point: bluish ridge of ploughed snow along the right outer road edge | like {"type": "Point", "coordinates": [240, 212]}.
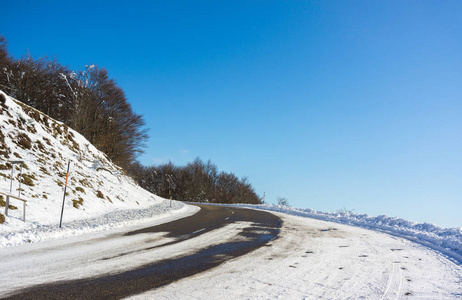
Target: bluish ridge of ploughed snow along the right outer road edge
{"type": "Point", "coordinates": [445, 240]}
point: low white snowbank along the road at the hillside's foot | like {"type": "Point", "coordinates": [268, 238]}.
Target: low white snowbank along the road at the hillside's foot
{"type": "Point", "coordinates": [159, 213]}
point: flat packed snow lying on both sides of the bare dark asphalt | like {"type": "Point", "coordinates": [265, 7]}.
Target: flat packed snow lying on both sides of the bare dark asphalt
{"type": "Point", "coordinates": [311, 259]}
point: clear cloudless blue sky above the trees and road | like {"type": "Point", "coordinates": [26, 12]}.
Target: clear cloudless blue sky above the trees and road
{"type": "Point", "coordinates": [331, 104]}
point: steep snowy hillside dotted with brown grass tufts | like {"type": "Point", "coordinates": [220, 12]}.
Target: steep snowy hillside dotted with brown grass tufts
{"type": "Point", "coordinates": [96, 188]}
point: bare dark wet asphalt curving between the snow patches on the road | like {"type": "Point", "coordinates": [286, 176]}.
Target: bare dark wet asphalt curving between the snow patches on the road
{"type": "Point", "coordinates": [265, 227]}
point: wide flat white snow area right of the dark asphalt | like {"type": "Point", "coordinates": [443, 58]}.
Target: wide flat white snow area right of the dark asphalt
{"type": "Point", "coordinates": [314, 259]}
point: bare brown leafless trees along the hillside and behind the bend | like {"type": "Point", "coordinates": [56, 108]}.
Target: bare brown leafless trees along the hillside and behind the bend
{"type": "Point", "coordinates": [92, 103]}
